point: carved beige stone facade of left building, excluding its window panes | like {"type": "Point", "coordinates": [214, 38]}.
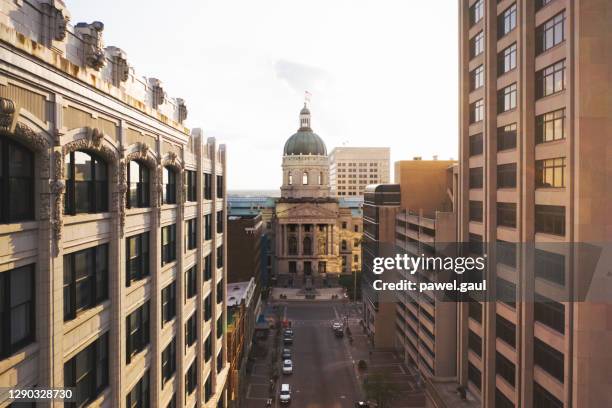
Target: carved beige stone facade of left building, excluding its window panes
{"type": "Point", "coordinates": [62, 92]}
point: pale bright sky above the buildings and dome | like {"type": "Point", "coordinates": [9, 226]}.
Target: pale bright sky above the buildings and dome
{"type": "Point", "coordinates": [381, 72]}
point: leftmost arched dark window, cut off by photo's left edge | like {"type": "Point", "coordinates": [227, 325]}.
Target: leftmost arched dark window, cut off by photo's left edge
{"type": "Point", "coordinates": [16, 182]}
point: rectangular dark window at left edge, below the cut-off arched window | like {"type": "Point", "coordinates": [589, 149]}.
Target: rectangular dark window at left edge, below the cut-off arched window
{"type": "Point", "coordinates": [17, 308]}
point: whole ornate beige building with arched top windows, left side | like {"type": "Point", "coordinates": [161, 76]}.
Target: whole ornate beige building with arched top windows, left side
{"type": "Point", "coordinates": [112, 232]}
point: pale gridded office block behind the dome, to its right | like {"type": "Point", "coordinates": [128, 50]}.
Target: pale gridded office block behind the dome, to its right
{"type": "Point", "coordinates": [351, 169]}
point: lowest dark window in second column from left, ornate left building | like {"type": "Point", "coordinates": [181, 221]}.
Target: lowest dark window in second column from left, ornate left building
{"type": "Point", "coordinates": [87, 372]}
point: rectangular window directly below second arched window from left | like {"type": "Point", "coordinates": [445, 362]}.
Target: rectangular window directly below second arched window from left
{"type": "Point", "coordinates": [85, 280]}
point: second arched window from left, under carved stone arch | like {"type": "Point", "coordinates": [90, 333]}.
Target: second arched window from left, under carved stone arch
{"type": "Point", "coordinates": [86, 184]}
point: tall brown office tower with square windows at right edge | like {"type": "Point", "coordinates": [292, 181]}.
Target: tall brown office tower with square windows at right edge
{"type": "Point", "coordinates": [535, 125]}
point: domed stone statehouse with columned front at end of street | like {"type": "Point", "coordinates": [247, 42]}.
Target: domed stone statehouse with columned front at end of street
{"type": "Point", "coordinates": [316, 236]}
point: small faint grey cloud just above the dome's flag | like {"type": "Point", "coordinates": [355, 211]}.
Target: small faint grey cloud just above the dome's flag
{"type": "Point", "coordinates": [301, 77]}
